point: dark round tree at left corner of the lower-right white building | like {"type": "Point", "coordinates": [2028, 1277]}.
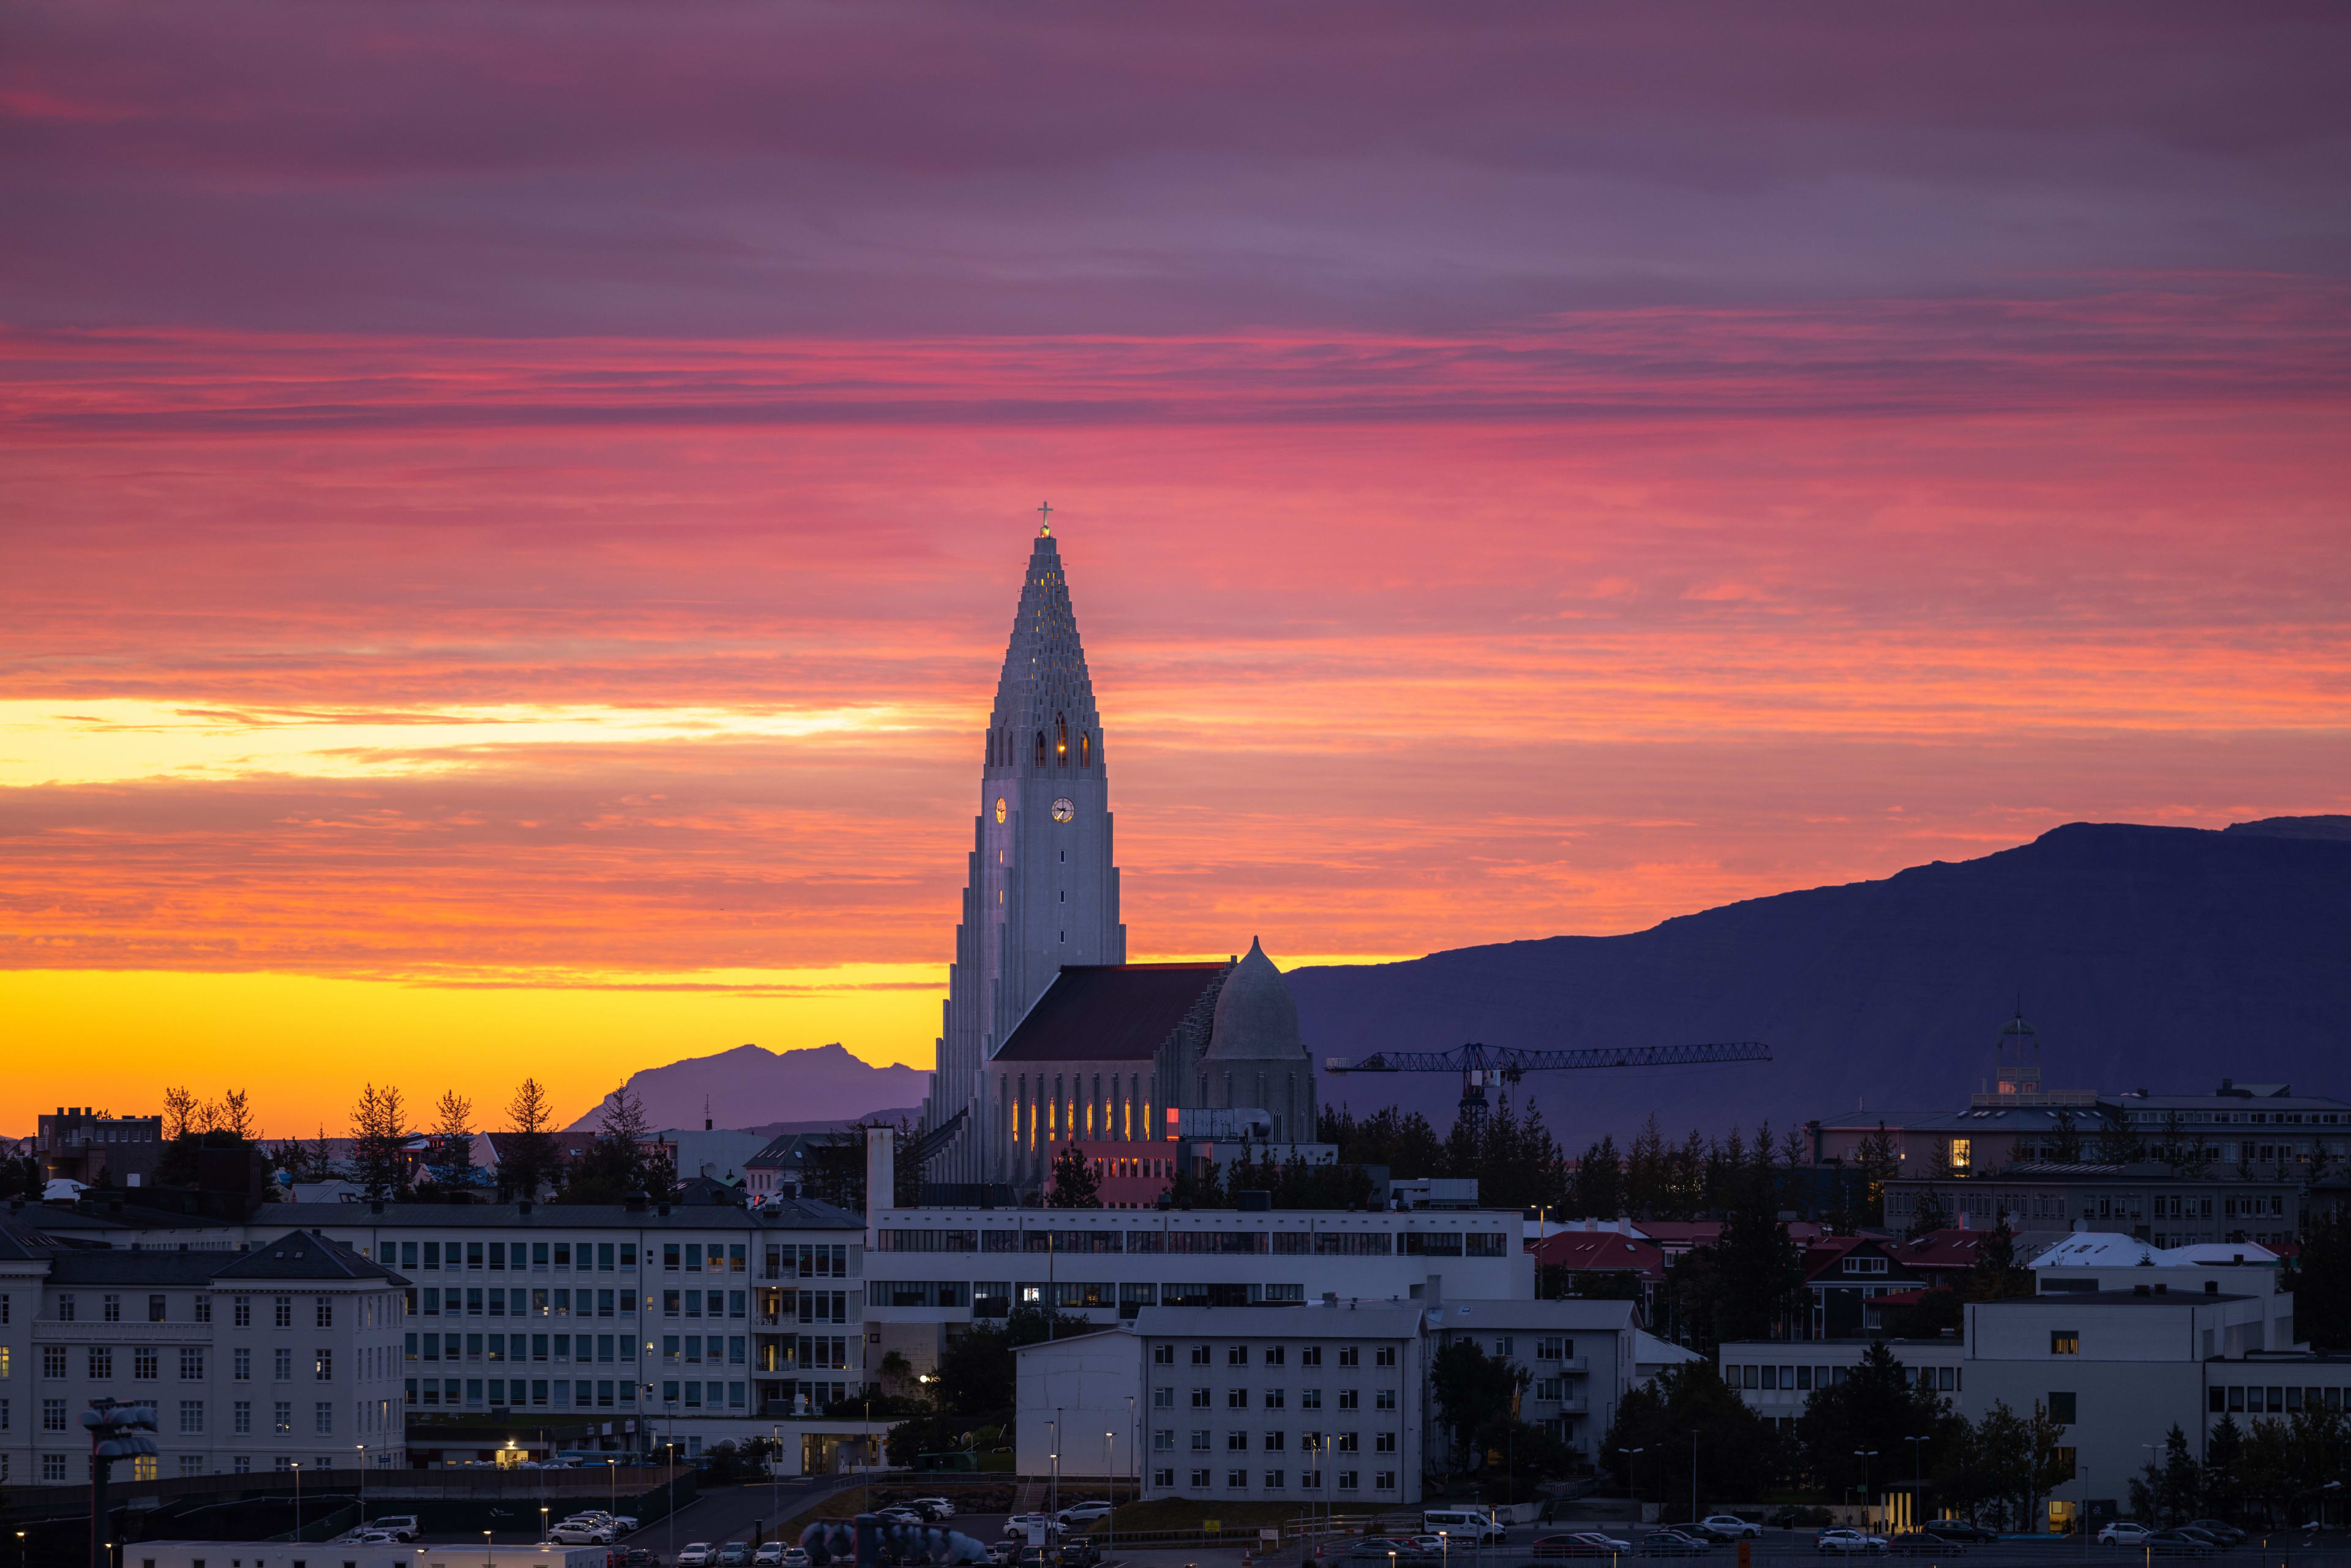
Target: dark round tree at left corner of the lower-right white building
{"type": "Point", "coordinates": [1687, 1414]}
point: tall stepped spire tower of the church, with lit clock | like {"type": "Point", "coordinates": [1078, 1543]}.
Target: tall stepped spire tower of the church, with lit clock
{"type": "Point", "coordinates": [1043, 887]}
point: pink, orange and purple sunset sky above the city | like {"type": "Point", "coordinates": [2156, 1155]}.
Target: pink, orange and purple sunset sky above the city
{"type": "Point", "coordinates": [511, 514]}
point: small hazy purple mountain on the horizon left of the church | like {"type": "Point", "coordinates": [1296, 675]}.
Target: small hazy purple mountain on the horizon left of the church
{"type": "Point", "coordinates": [753, 1087]}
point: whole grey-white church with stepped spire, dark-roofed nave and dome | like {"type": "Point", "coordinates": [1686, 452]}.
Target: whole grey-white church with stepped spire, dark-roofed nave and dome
{"type": "Point", "coordinates": [1050, 1036]}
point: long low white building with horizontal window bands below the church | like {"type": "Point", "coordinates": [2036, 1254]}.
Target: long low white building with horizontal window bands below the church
{"type": "Point", "coordinates": [932, 1273]}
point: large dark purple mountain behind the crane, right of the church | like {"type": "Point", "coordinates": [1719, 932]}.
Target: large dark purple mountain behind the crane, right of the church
{"type": "Point", "coordinates": [2162, 958]}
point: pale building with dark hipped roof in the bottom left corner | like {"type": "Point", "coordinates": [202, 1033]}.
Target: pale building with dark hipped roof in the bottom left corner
{"type": "Point", "coordinates": [288, 1353]}
